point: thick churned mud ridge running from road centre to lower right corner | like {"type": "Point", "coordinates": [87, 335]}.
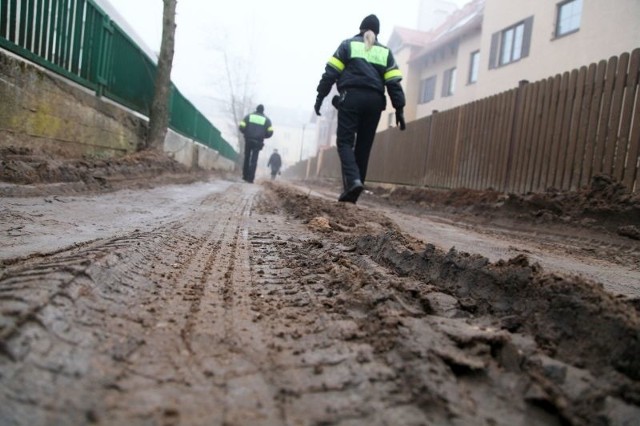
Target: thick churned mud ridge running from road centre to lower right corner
{"type": "Point", "coordinates": [584, 359]}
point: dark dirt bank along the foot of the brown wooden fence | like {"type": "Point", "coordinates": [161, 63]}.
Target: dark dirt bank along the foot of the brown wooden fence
{"type": "Point", "coordinates": [605, 204]}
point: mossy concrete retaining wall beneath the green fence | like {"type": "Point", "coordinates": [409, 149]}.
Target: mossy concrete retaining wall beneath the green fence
{"type": "Point", "coordinates": [44, 112]}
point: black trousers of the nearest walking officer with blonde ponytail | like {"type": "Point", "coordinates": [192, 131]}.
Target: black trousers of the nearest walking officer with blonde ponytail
{"type": "Point", "coordinates": [358, 118]}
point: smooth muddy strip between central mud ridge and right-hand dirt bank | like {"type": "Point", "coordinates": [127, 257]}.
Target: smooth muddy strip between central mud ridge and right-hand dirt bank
{"type": "Point", "coordinates": [609, 259]}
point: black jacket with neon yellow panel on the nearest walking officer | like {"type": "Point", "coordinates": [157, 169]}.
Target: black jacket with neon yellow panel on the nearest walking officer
{"type": "Point", "coordinates": [352, 67]}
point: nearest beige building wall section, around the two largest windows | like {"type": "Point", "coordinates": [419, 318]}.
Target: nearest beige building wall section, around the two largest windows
{"type": "Point", "coordinates": [607, 28]}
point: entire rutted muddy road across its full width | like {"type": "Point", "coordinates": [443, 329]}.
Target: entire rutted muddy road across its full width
{"type": "Point", "coordinates": [224, 303]}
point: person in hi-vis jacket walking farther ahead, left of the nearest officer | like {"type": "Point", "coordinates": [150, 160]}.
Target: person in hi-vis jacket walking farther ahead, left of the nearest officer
{"type": "Point", "coordinates": [256, 127]}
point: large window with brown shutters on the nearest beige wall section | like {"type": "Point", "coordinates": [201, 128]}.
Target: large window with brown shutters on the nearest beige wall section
{"type": "Point", "coordinates": [511, 44]}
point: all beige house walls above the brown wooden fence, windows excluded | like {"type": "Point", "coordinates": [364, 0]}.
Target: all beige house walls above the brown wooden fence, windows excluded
{"type": "Point", "coordinates": [607, 28]}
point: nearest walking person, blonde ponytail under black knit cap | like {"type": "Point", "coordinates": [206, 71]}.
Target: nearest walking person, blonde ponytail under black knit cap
{"type": "Point", "coordinates": [361, 67]}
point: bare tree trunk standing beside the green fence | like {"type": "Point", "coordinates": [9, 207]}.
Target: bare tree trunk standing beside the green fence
{"type": "Point", "coordinates": [159, 114]}
